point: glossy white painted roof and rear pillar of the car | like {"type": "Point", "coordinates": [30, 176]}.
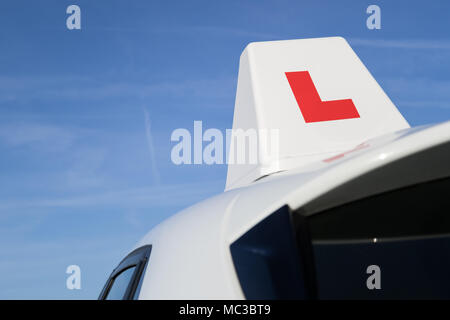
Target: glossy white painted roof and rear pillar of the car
{"type": "Point", "coordinates": [190, 257]}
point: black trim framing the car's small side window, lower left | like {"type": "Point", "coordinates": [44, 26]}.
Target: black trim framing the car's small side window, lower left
{"type": "Point", "coordinates": [137, 258]}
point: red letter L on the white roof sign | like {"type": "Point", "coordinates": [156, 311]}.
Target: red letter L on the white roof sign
{"type": "Point", "coordinates": [312, 107]}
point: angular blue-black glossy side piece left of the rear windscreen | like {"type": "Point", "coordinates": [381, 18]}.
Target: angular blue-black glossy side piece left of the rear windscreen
{"type": "Point", "coordinates": [267, 261]}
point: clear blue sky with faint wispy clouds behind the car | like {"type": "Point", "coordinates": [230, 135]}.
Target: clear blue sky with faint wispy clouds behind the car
{"type": "Point", "coordinates": [86, 115]}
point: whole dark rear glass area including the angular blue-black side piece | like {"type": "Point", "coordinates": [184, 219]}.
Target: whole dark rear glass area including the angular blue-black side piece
{"type": "Point", "coordinates": [390, 245]}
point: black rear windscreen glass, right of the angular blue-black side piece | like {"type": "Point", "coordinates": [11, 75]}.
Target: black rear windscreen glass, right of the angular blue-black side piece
{"type": "Point", "coordinates": [406, 233]}
